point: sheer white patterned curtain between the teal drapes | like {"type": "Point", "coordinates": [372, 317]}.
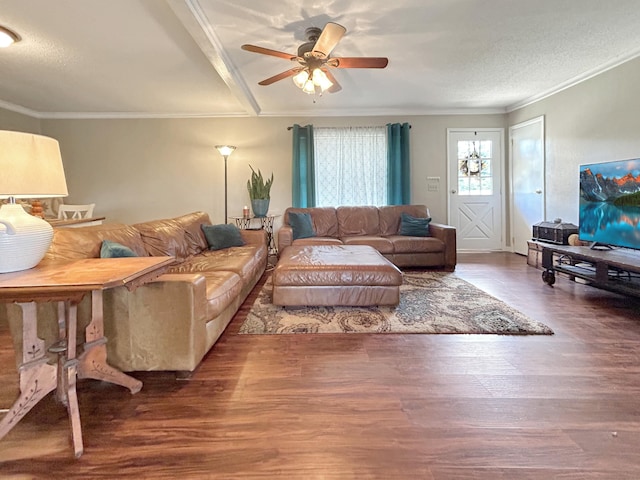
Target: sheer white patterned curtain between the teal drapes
{"type": "Point", "coordinates": [351, 166]}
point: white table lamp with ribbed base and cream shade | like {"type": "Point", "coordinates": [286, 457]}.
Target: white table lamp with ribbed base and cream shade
{"type": "Point", "coordinates": [30, 167]}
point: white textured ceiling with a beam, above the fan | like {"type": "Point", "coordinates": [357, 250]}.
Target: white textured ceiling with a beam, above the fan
{"type": "Point", "coordinates": [145, 58]}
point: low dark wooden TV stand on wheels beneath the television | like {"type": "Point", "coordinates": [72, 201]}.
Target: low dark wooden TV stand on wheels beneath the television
{"type": "Point", "coordinates": [616, 270]}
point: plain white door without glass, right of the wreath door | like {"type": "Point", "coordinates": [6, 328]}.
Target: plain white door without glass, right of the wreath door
{"type": "Point", "coordinates": [526, 164]}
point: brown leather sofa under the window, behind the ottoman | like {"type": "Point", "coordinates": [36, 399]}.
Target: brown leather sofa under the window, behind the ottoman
{"type": "Point", "coordinates": [379, 228]}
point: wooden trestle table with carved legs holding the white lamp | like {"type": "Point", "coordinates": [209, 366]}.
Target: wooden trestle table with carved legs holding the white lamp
{"type": "Point", "coordinates": [67, 284]}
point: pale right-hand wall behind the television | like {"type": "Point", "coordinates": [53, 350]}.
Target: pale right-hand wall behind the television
{"type": "Point", "coordinates": [595, 121]}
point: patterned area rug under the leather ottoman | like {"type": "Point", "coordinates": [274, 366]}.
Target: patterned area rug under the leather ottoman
{"type": "Point", "coordinates": [430, 302]}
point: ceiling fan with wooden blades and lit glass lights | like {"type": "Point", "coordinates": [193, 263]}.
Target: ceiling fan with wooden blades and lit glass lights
{"type": "Point", "coordinates": [313, 72]}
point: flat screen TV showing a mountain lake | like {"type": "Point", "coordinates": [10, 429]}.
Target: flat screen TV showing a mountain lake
{"type": "Point", "coordinates": [610, 203]}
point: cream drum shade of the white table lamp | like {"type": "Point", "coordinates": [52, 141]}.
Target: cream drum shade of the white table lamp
{"type": "Point", "coordinates": [30, 166]}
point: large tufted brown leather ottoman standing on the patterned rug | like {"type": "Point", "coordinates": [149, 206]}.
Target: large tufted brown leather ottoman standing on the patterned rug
{"type": "Point", "coordinates": [333, 275]}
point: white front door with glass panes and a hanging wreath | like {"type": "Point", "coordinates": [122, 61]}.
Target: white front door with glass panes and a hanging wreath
{"type": "Point", "coordinates": [475, 187]}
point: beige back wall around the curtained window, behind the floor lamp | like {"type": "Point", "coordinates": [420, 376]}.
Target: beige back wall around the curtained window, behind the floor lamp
{"type": "Point", "coordinates": [142, 169]}
